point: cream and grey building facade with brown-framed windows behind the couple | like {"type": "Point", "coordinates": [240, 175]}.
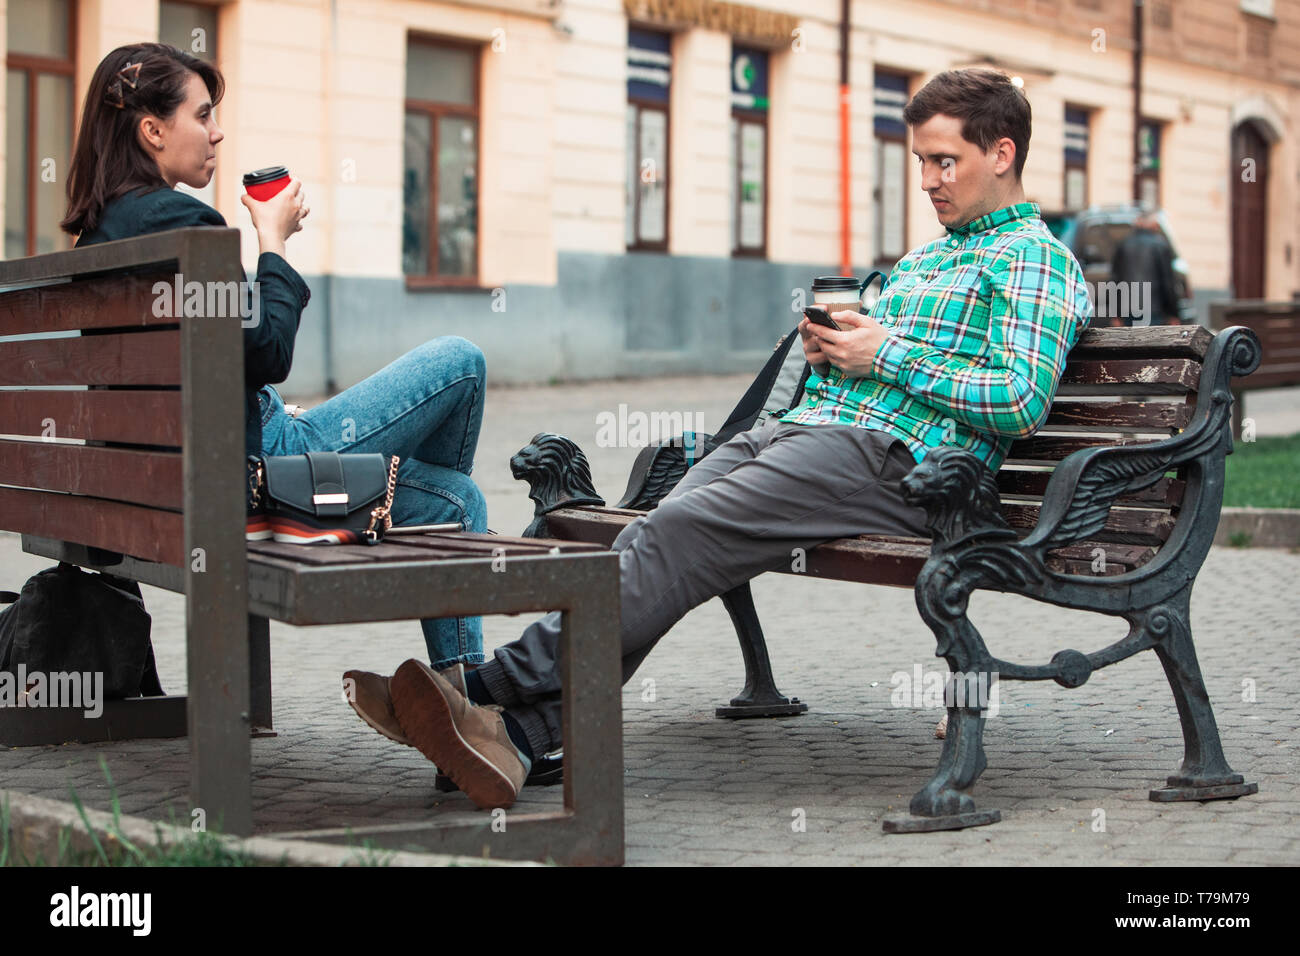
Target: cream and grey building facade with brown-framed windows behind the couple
{"type": "Point", "coordinates": [618, 188]}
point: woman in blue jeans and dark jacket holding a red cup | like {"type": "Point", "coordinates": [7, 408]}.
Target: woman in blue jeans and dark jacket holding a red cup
{"type": "Point", "coordinates": [149, 126]}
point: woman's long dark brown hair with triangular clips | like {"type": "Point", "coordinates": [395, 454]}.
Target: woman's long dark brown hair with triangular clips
{"type": "Point", "coordinates": [109, 161]}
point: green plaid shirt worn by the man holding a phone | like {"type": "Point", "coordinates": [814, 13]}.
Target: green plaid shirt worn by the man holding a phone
{"type": "Point", "coordinates": [980, 326]}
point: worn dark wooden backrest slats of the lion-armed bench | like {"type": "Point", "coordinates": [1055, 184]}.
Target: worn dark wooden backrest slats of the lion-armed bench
{"type": "Point", "coordinates": [1120, 387]}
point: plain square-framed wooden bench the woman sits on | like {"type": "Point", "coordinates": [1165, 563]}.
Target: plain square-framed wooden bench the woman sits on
{"type": "Point", "coordinates": [125, 453]}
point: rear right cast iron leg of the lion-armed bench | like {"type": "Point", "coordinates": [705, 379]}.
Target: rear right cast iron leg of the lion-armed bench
{"type": "Point", "coordinates": [1204, 775]}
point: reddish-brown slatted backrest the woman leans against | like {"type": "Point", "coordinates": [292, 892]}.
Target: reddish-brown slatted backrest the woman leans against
{"type": "Point", "coordinates": [112, 438]}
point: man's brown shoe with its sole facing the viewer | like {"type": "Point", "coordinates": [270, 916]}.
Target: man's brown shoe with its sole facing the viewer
{"type": "Point", "coordinates": [470, 745]}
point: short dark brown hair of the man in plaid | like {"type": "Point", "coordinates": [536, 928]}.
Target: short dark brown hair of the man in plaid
{"type": "Point", "coordinates": [987, 103]}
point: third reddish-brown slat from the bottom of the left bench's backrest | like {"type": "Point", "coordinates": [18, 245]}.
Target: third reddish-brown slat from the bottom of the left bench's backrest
{"type": "Point", "coordinates": [137, 418]}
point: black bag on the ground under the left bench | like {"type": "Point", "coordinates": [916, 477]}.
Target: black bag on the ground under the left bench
{"type": "Point", "coordinates": [73, 622]}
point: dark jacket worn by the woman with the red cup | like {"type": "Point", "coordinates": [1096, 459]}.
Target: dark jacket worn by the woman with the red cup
{"type": "Point", "coordinates": [270, 344]}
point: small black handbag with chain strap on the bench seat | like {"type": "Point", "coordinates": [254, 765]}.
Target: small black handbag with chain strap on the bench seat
{"type": "Point", "coordinates": [324, 498]}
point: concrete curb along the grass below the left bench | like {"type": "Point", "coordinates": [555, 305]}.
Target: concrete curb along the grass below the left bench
{"type": "Point", "coordinates": [36, 825]}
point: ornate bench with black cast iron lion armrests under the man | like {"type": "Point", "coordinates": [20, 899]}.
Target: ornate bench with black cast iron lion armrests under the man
{"type": "Point", "coordinates": [1111, 508]}
